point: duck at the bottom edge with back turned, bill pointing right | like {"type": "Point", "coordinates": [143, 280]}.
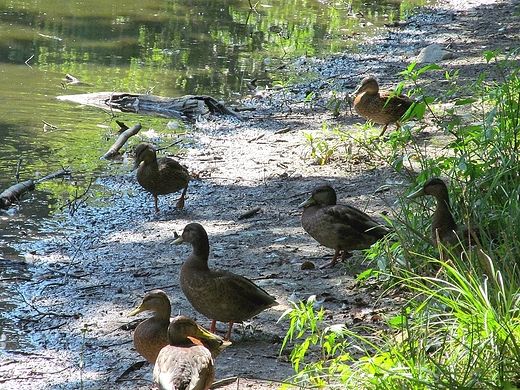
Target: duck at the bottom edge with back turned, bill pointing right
{"type": "Point", "coordinates": [184, 364]}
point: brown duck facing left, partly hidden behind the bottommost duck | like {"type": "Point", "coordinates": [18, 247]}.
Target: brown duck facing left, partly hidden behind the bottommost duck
{"type": "Point", "coordinates": [151, 335]}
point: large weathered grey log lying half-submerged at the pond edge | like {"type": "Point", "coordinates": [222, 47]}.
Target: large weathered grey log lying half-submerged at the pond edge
{"type": "Point", "coordinates": [186, 107]}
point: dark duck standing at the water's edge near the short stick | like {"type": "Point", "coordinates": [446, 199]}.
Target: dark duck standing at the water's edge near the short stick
{"type": "Point", "coordinates": [160, 176]}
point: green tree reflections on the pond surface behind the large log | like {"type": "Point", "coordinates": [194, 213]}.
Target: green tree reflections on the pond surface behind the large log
{"type": "Point", "coordinates": [190, 46]}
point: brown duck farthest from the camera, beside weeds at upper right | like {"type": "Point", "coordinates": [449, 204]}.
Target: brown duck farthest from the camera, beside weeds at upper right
{"type": "Point", "coordinates": [377, 106]}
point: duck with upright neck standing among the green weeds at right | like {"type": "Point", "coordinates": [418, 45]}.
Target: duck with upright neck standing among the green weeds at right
{"type": "Point", "coordinates": [444, 229]}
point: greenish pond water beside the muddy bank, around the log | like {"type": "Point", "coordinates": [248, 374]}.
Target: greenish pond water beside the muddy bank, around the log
{"type": "Point", "coordinates": [168, 48]}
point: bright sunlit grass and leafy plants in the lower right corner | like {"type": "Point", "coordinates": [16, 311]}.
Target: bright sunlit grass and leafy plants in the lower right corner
{"type": "Point", "coordinates": [459, 331]}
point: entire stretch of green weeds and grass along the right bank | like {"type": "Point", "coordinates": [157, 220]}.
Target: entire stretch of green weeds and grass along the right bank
{"type": "Point", "coordinates": [461, 327]}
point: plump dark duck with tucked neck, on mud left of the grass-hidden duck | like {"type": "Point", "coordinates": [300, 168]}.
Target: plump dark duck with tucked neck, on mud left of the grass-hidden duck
{"type": "Point", "coordinates": [340, 227]}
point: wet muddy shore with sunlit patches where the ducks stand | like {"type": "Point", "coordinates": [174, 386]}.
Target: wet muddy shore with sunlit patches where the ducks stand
{"type": "Point", "coordinates": [90, 276]}
